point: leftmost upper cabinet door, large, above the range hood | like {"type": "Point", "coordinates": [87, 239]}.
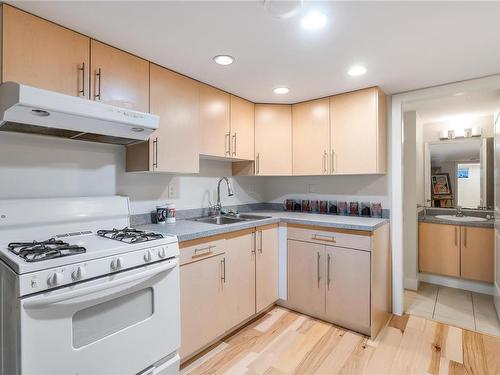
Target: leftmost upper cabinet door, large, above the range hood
{"type": "Point", "coordinates": [42, 54]}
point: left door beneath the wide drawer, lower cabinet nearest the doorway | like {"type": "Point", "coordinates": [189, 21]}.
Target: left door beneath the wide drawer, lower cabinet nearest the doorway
{"type": "Point", "coordinates": [306, 277]}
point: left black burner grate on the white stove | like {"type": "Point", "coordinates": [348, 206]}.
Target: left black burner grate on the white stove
{"type": "Point", "coordinates": [37, 251]}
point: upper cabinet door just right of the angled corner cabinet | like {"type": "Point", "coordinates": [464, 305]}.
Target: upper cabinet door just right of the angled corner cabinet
{"type": "Point", "coordinates": [311, 137]}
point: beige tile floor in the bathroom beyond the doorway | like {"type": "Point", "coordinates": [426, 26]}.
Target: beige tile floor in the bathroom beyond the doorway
{"type": "Point", "coordinates": [461, 308]}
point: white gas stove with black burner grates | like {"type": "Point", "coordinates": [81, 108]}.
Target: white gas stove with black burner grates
{"type": "Point", "coordinates": [82, 293]}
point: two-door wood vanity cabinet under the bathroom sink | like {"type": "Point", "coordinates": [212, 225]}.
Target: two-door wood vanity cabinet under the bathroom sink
{"type": "Point", "coordinates": [458, 251]}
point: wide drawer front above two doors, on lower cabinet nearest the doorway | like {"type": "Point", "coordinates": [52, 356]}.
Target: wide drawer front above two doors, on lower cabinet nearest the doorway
{"type": "Point", "coordinates": [328, 237]}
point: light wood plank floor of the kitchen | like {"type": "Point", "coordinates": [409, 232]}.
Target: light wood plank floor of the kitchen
{"type": "Point", "coordinates": [286, 342]}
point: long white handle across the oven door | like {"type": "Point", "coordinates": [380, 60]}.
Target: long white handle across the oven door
{"type": "Point", "coordinates": [145, 275]}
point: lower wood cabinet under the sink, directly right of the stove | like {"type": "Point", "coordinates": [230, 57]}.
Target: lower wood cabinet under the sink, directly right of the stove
{"type": "Point", "coordinates": [220, 277]}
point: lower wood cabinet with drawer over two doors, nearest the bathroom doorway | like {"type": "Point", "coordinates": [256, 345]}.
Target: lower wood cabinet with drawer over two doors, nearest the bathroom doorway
{"type": "Point", "coordinates": [343, 278]}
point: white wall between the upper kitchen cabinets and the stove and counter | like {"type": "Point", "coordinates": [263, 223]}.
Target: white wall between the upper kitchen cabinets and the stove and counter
{"type": "Point", "coordinates": [33, 167]}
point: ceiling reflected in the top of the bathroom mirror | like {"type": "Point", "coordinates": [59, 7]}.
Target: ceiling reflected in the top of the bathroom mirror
{"type": "Point", "coordinates": [456, 151]}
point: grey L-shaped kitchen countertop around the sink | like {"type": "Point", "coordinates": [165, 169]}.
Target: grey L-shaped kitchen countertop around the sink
{"type": "Point", "coordinates": [189, 230]}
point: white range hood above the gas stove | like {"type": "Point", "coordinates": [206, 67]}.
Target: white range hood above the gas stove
{"type": "Point", "coordinates": [27, 109]}
